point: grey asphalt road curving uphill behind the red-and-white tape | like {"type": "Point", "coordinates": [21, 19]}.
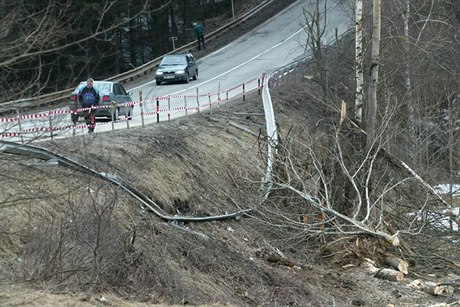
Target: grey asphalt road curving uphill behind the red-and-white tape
{"type": "Point", "coordinates": [277, 42]}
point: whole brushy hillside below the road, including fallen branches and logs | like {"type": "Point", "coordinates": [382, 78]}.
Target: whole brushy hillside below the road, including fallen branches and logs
{"type": "Point", "coordinates": [67, 238]}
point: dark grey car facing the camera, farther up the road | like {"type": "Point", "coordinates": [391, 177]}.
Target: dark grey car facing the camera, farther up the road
{"type": "Point", "coordinates": [176, 67]}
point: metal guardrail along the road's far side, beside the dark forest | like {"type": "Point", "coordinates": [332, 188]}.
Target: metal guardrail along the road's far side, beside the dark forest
{"type": "Point", "coordinates": [141, 71]}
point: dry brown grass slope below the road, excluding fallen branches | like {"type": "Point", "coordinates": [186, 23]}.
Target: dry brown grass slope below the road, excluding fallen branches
{"type": "Point", "coordinates": [69, 239]}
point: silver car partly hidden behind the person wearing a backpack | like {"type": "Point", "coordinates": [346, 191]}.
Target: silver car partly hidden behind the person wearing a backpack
{"type": "Point", "coordinates": [112, 95]}
